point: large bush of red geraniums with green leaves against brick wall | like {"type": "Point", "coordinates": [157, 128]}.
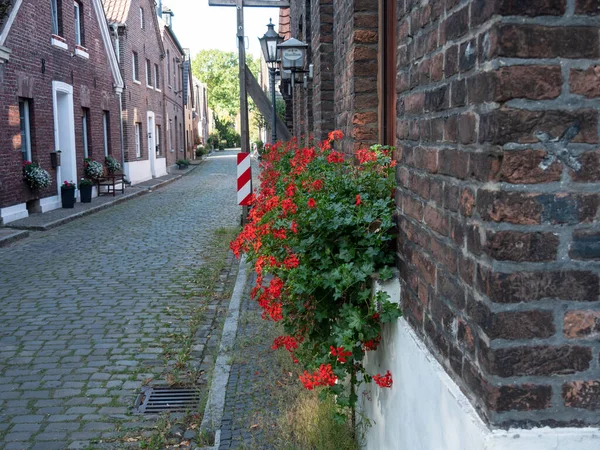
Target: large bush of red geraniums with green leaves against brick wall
{"type": "Point", "coordinates": [320, 229]}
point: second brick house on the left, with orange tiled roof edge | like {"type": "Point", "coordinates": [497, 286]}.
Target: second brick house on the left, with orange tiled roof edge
{"type": "Point", "coordinates": [138, 43]}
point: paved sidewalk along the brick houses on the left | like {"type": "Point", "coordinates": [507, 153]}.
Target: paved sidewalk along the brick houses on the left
{"type": "Point", "coordinates": [19, 229]}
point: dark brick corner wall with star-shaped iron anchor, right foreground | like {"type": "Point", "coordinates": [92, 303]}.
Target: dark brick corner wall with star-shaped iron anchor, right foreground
{"type": "Point", "coordinates": [487, 238]}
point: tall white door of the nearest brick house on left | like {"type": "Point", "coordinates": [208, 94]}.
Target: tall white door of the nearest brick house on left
{"type": "Point", "coordinates": [64, 132]}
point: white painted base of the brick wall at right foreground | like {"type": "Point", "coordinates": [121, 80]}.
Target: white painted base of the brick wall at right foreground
{"type": "Point", "coordinates": [425, 409]}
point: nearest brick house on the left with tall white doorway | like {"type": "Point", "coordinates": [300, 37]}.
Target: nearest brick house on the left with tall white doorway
{"type": "Point", "coordinates": [59, 87]}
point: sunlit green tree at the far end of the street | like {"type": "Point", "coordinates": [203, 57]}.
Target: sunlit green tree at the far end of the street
{"type": "Point", "coordinates": [219, 71]}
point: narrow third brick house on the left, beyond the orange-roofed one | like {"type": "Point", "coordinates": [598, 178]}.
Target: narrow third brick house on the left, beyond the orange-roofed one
{"type": "Point", "coordinates": [173, 90]}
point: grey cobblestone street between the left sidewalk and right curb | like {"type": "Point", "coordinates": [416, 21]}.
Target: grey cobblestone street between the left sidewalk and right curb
{"type": "Point", "coordinates": [85, 309]}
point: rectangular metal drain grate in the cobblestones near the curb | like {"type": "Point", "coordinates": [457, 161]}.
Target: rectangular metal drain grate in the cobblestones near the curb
{"type": "Point", "coordinates": [154, 400]}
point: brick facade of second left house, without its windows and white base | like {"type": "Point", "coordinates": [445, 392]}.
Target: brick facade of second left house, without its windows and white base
{"type": "Point", "coordinates": [138, 99]}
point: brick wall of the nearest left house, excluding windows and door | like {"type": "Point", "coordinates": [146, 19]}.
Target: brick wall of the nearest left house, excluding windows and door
{"type": "Point", "coordinates": [21, 76]}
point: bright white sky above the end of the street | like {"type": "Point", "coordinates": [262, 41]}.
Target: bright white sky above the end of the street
{"type": "Point", "coordinates": [199, 26]}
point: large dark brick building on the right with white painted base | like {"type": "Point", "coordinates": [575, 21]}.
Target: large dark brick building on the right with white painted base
{"type": "Point", "coordinates": [493, 107]}
